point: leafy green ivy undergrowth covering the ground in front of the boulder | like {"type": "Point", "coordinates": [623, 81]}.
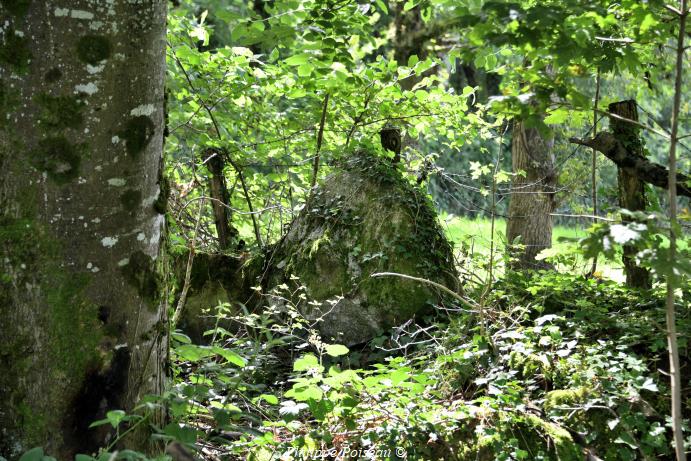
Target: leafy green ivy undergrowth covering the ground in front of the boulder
{"type": "Point", "coordinates": [562, 367]}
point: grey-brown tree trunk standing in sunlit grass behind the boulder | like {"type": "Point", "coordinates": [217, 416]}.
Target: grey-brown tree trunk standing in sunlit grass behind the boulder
{"type": "Point", "coordinates": [532, 196]}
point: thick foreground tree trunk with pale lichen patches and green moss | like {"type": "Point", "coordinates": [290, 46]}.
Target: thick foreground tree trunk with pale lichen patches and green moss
{"type": "Point", "coordinates": [81, 118]}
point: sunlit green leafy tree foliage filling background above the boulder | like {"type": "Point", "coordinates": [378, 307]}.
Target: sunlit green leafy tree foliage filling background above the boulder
{"type": "Point", "coordinates": [263, 70]}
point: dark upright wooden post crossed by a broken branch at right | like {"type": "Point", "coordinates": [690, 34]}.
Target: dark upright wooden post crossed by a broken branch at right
{"type": "Point", "coordinates": [631, 188]}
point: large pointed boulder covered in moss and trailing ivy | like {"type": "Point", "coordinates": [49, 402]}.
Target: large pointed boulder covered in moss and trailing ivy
{"type": "Point", "coordinates": [365, 218]}
